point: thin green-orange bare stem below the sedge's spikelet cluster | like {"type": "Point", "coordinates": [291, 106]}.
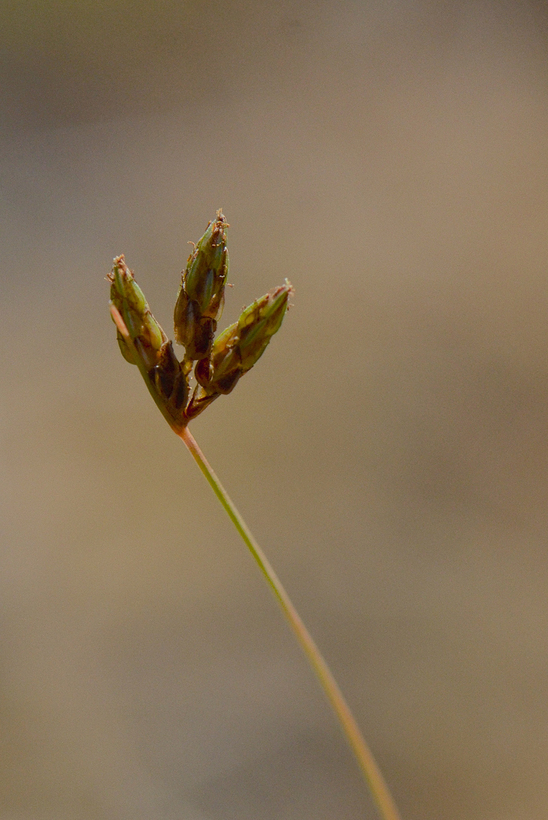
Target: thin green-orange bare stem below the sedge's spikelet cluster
{"type": "Point", "coordinates": [367, 763]}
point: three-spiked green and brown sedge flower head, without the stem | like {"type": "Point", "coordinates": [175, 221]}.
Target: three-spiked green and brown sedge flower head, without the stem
{"type": "Point", "coordinates": [216, 363]}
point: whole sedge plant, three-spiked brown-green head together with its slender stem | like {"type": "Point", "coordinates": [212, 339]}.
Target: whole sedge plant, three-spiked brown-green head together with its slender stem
{"type": "Point", "coordinates": [182, 389]}
